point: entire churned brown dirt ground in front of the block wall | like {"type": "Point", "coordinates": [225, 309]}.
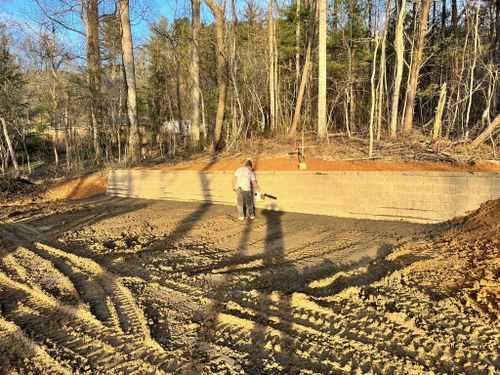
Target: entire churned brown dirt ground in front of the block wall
{"type": "Point", "coordinates": [110, 285]}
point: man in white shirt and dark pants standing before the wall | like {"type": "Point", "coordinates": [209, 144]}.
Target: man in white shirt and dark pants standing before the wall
{"type": "Point", "coordinates": [243, 181]}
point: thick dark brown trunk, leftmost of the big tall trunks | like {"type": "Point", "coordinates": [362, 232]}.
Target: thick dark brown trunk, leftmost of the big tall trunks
{"type": "Point", "coordinates": [91, 20]}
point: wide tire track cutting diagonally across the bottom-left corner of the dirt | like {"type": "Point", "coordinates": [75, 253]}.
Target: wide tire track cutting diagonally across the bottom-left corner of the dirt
{"type": "Point", "coordinates": [78, 331]}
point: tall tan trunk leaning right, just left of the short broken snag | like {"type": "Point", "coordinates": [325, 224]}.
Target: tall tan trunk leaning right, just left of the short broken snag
{"type": "Point", "coordinates": [416, 64]}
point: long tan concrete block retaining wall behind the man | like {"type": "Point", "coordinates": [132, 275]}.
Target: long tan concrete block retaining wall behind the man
{"type": "Point", "coordinates": [423, 197]}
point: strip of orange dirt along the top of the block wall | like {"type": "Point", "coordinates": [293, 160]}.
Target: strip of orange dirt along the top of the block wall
{"type": "Point", "coordinates": [291, 164]}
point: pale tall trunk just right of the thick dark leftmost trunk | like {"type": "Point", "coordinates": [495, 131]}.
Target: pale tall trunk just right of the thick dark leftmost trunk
{"type": "Point", "coordinates": [134, 151]}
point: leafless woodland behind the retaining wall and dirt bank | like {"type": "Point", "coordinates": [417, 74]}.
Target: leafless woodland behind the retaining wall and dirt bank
{"type": "Point", "coordinates": [242, 70]}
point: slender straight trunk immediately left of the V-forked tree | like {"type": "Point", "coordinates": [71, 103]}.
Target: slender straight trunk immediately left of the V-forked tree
{"type": "Point", "coordinates": [194, 70]}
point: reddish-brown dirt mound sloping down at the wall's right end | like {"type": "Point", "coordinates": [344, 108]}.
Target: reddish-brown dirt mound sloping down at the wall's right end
{"type": "Point", "coordinates": [467, 266]}
